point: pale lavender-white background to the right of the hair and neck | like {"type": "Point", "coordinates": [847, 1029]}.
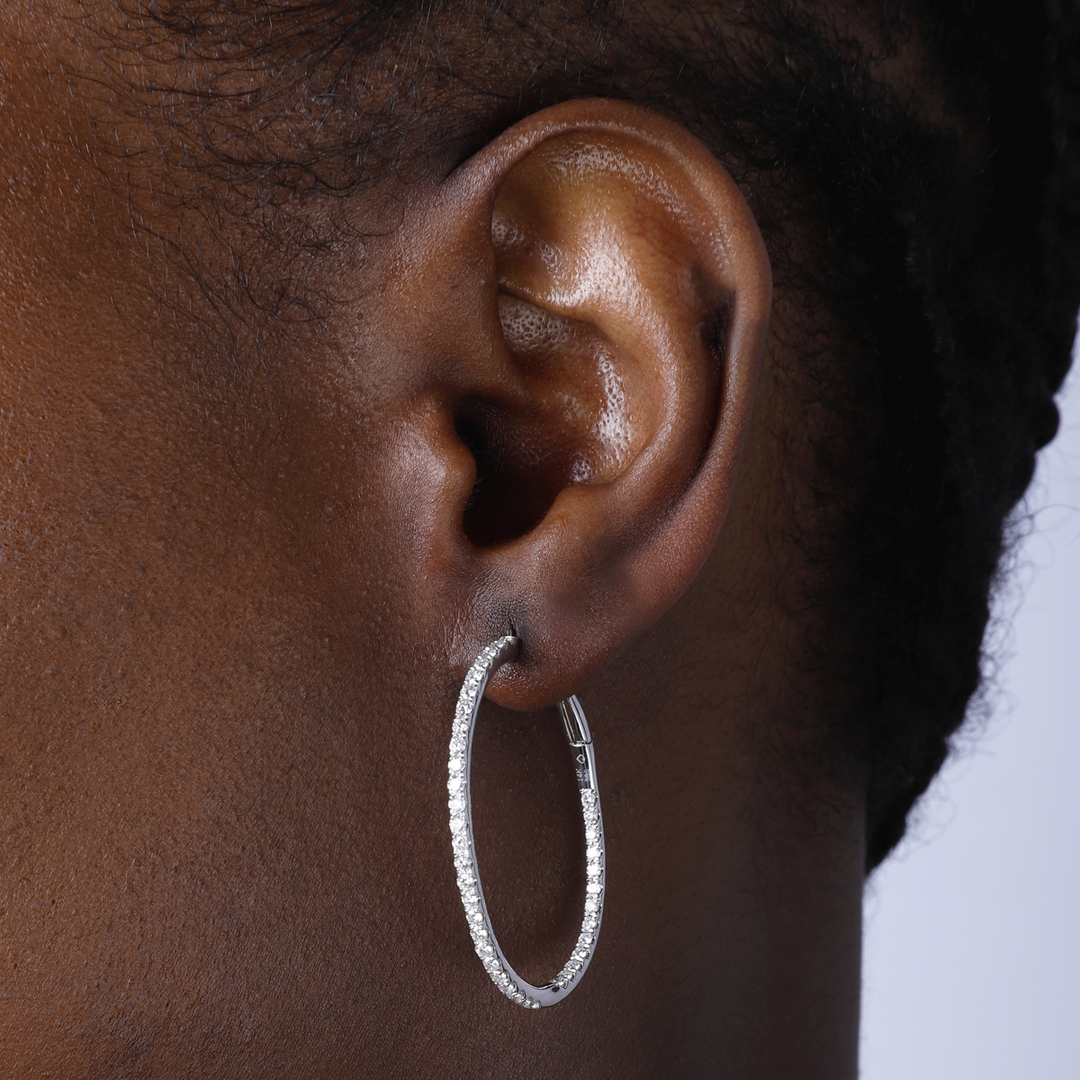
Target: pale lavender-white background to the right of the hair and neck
{"type": "Point", "coordinates": [973, 954]}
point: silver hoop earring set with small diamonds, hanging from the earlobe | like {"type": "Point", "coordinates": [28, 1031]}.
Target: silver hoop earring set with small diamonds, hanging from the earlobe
{"type": "Point", "coordinates": [465, 849]}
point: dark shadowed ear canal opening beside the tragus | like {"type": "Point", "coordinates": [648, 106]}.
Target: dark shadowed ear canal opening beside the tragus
{"type": "Point", "coordinates": [516, 487]}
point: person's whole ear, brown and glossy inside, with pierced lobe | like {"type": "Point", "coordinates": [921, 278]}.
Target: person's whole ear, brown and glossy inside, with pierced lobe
{"type": "Point", "coordinates": [591, 296]}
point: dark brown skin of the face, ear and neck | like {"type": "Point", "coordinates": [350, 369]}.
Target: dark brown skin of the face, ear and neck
{"type": "Point", "coordinates": [234, 633]}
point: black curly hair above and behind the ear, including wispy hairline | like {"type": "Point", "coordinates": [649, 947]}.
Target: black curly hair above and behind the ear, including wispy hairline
{"type": "Point", "coordinates": [948, 249]}
